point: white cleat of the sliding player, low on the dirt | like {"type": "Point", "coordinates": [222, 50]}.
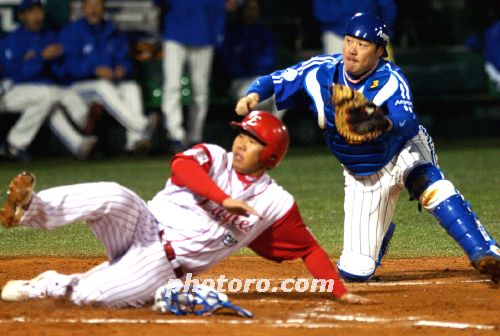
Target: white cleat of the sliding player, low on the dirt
{"type": "Point", "coordinates": [21, 290]}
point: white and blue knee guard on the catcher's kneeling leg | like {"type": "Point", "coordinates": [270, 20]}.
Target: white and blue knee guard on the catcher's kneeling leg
{"type": "Point", "coordinates": [356, 267]}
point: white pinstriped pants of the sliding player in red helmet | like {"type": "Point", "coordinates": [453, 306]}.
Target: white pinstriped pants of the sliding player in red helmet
{"type": "Point", "coordinates": [119, 218]}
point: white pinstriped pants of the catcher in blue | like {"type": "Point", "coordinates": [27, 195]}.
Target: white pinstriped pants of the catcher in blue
{"type": "Point", "coordinates": [370, 200]}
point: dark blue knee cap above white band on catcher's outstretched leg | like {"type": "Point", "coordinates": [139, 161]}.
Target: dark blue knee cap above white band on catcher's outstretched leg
{"type": "Point", "coordinates": [420, 178]}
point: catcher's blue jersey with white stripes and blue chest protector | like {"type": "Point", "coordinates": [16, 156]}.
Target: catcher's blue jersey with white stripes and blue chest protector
{"type": "Point", "coordinates": [385, 86]}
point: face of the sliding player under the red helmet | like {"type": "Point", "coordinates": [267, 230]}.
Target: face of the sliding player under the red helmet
{"type": "Point", "coordinates": [246, 153]}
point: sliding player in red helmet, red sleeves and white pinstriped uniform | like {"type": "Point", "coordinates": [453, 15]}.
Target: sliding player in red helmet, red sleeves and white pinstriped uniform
{"type": "Point", "coordinates": [214, 203]}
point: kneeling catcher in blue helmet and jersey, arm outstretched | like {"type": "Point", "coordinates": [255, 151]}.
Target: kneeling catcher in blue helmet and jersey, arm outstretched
{"type": "Point", "coordinates": [364, 106]}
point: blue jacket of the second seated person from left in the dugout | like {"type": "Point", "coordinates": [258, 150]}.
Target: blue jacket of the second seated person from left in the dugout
{"type": "Point", "coordinates": [87, 47]}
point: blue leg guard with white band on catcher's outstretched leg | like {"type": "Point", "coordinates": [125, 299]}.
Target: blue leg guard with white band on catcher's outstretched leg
{"type": "Point", "coordinates": [427, 184]}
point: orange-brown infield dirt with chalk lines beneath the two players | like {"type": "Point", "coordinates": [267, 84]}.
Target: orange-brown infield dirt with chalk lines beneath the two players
{"type": "Point", "coordinates": [441, 296]}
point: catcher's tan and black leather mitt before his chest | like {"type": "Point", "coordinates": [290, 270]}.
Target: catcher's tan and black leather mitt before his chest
{"type": "Point", "coordinates": [357, 119]}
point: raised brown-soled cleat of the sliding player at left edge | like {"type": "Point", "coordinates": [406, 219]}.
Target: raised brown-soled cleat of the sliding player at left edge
{"type": "Point", "coordinates": [18, 199]}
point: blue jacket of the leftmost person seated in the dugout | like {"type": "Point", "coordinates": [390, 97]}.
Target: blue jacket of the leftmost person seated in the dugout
{"type": "Point", "coordinates": [22, 56]}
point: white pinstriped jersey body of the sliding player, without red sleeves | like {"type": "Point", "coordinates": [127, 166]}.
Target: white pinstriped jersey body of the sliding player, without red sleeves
{"type": "Point", "coordinates": [203, 232]}
